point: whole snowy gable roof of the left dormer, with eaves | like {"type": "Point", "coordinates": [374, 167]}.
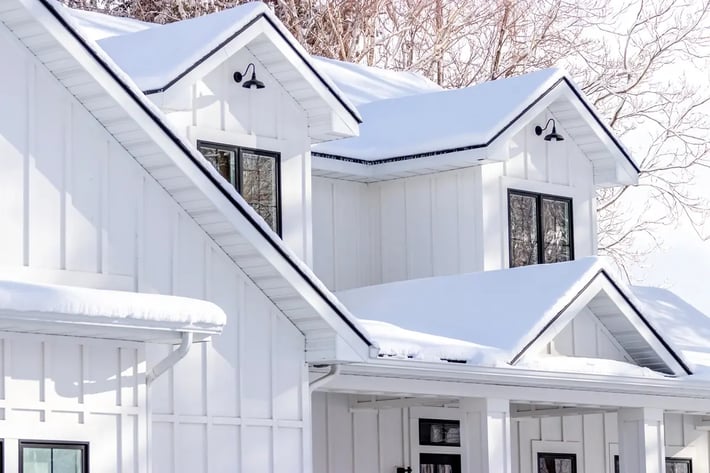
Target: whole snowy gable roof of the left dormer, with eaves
{"type": "Point", "coordinates": [159, 58]}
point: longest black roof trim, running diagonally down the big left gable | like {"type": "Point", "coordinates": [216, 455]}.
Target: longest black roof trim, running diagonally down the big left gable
{"type": "Point", "coordinates": [267, 236]}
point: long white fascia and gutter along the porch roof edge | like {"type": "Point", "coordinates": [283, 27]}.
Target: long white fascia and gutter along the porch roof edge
{"type": "Point", "coordinates": [416, 378]}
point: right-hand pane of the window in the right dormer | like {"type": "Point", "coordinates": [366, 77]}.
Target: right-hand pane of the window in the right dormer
{"type": "Point", "coordinates": [556, 230]}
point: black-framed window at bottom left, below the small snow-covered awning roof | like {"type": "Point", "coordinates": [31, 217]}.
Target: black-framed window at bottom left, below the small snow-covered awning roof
{"type": "Point", "coordinates": [54, 457]}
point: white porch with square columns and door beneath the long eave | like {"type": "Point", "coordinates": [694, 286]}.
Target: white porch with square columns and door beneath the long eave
{"type": "Point", "coordinates": [400, 414]}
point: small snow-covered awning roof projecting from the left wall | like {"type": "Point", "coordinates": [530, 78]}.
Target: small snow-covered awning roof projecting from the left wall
{"type": "Point", "coordinates": [98, 313]}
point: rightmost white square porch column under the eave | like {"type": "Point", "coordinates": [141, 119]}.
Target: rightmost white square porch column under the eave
{"type": "Point", "coordinates": [641, 442]}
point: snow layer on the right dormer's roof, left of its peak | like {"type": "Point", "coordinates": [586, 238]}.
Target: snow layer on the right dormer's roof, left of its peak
{"type": "Point", "coordinates": [441, 120]}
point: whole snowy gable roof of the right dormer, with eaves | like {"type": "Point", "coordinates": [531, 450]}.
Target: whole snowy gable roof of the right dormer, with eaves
{"type": "Point", "coordinates": [461, 127]}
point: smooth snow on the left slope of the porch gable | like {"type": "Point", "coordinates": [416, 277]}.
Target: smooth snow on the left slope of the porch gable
{"type": "Point", "coordinates": [500, 309]}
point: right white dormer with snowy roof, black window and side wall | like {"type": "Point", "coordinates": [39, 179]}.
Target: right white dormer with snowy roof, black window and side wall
{"type": "Point", "coordinates": [453, 181]}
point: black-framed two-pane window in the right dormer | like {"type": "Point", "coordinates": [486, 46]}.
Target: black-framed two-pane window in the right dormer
{"type": "Point", "coordinates": [539, 228]}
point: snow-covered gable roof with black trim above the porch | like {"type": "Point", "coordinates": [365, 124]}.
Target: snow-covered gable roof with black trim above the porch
{"type": "Point", "coordinates": [518, 310]}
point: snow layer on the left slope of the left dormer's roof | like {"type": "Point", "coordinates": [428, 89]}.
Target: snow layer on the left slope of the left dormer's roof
{"type": "Point", "coordinates": [155, 56]}
